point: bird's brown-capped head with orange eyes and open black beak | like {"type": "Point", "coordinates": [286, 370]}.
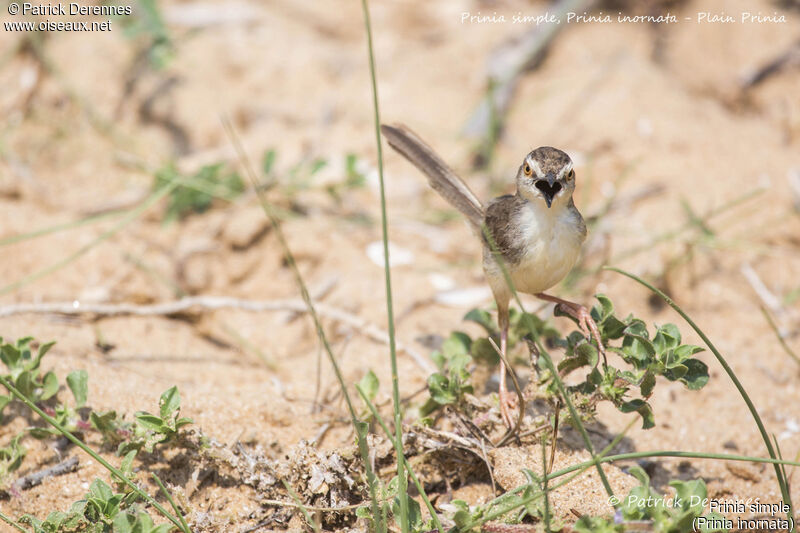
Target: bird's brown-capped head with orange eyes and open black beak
{"type": "Point", "coordinates": [546, 175]}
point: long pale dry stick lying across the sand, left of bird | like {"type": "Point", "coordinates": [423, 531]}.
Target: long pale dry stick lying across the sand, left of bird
{"type": "Point", "coordinates": [208, 303]}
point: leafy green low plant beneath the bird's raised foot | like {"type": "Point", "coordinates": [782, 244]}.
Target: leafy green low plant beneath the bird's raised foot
{"type": "Point", "coordinates": [648, 357]}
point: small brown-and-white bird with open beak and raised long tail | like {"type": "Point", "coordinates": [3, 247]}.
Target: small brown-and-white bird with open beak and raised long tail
{"type": "Point", "coordinates": [537, 233]}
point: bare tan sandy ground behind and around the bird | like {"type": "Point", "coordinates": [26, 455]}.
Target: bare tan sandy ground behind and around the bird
{"type": "Point", "coordinates": [636, 106]}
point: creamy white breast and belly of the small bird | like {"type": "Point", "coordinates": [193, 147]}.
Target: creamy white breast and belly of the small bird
{"type": "Point", "coordinates": [554, 238]}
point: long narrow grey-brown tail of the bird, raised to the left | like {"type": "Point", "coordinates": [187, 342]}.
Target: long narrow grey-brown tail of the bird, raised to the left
{"type": "Point", "coordinates": [440, 176]}
